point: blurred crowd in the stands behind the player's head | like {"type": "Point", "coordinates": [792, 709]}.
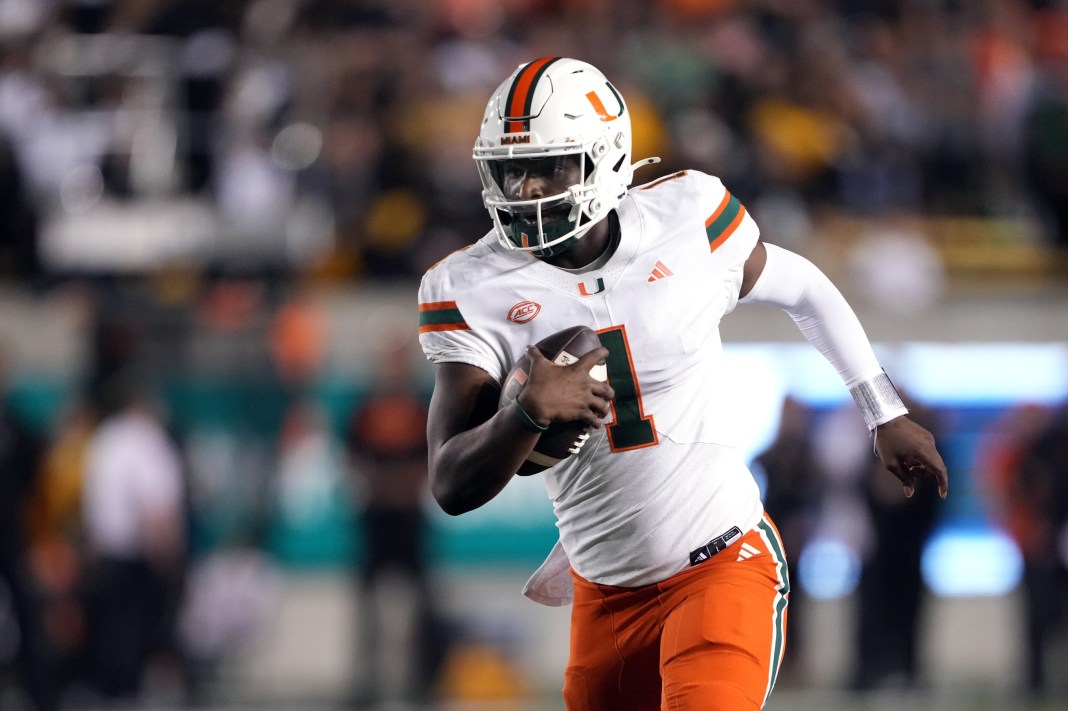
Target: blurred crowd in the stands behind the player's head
{"type": "Point", "coordinates": [334, 137]}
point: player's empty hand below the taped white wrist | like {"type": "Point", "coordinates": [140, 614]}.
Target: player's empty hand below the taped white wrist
{"type": "Point", "coordinates": [908, 451]}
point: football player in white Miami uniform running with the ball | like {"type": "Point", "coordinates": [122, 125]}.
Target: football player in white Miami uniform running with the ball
{"type": "Point", "coordinates": [678, 578]}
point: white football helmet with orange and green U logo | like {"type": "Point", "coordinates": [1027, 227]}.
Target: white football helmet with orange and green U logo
{"type": "Point", "coordinates": [547, 108]}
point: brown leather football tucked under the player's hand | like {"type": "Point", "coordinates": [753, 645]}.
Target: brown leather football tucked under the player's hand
{"type": "Point", "coordinates": [562, 439]}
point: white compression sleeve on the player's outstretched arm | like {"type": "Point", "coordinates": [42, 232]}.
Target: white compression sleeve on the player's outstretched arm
{"type": "Point", "coordinates": [797, 287]}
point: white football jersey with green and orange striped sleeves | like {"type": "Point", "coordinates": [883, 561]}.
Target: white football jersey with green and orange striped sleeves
{"type": "Point", "coordinates": [664, 477]}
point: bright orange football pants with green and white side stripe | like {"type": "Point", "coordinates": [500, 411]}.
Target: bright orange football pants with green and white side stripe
{"type": "Point", "coordinates": [708, 639]}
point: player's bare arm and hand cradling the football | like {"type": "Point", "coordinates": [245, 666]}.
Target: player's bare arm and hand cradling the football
{"type": "Point", "coordinates": [476, 449]}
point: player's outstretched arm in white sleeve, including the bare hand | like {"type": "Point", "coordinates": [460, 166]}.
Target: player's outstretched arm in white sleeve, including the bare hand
{"type": "Point", "coordinates": [777, 277]}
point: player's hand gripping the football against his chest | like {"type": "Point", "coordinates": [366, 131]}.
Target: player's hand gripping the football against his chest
{"type": "Point", "coordinates": [567, 393]}
